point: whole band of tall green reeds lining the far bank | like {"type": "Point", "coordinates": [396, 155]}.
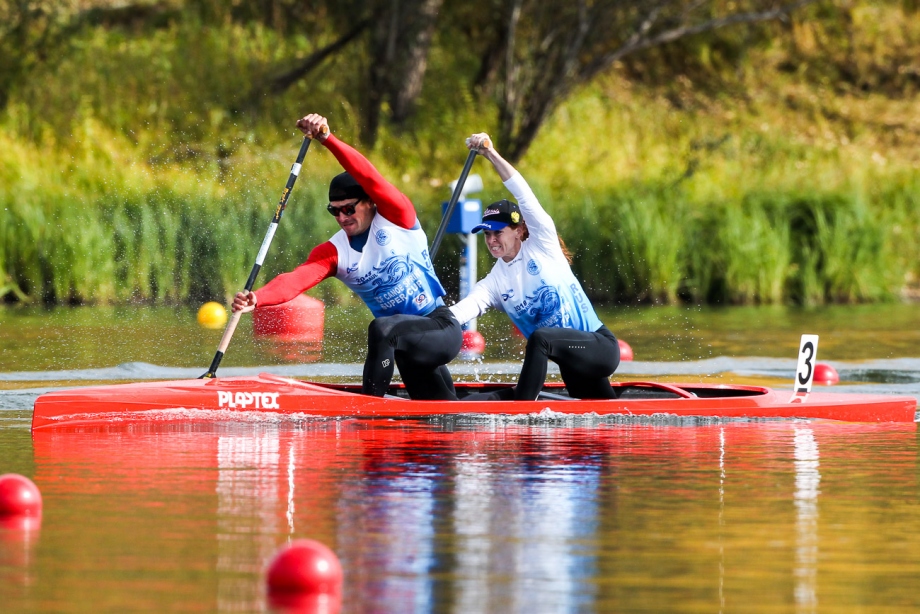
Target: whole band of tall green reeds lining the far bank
{"type": "Point", "coordinates": [176, 238]}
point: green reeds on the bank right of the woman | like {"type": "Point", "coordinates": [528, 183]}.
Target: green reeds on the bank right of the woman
{"type": "Point", "coordinates": [768, 249]}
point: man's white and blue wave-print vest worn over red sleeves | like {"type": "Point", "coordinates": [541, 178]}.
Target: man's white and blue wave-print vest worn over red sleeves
{"type": "Point", "coordinates": [393, 273]}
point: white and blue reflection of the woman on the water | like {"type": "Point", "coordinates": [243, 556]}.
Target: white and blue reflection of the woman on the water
{"type": "Point", "coordinates": [534, 527]}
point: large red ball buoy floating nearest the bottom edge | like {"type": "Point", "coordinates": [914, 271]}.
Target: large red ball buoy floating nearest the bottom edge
{"type": "Point", "coordinates": [305, 567]}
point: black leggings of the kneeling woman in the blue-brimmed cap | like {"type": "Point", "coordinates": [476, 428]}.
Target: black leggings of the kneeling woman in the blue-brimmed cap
{"type": "Point", "coordinates": [586, 362]}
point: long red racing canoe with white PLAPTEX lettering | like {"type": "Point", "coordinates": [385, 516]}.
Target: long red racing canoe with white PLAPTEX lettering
{"type": "Point", "coordinates": [231, 398]}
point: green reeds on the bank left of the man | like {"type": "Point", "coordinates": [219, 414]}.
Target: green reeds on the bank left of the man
{"type": "Point", "coordinates": [113, 235]}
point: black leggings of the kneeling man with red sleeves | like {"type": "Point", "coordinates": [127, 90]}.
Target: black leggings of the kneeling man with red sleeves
{"type": "Point", "coordinates": [420, 346]}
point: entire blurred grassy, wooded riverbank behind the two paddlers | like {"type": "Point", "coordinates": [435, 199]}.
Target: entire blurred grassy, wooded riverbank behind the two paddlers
{"type": "Point", "coordinates": [722, 152]}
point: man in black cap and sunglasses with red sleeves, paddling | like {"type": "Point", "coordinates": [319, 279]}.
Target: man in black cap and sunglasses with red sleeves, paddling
{"type": "Point", "coordinates": [381, 253]}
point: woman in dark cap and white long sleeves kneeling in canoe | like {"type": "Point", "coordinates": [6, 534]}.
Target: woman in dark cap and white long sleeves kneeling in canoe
{"type": "Point", "coordinates": [533, 283]}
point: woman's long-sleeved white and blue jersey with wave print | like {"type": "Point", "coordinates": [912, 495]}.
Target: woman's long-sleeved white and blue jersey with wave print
{"type": "Point", "coordinates": [537, 289]}
